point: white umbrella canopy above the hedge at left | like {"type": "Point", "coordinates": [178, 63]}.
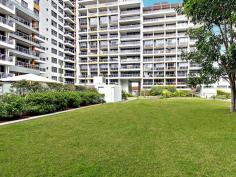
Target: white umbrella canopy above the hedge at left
{"type": "Point", "coordinates": [28, 77]}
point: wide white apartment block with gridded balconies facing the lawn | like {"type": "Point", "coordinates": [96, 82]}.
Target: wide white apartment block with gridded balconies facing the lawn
{"type": "Point", "coordinates": [132, 45]}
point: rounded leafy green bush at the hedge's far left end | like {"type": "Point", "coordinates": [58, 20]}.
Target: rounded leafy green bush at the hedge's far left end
{"type": "Point", "coordinates": [11, 106]}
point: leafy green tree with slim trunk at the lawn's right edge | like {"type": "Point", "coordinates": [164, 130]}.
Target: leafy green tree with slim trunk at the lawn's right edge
{"type": "Point", "coordinates": [215, 40]}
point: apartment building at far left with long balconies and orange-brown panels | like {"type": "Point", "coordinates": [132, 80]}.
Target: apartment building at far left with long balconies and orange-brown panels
{"type": "Point", "coordinates": [20, 38]}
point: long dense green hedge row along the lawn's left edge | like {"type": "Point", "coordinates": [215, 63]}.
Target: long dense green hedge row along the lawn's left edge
{"type": "Point", "coordinates": [14, 106]}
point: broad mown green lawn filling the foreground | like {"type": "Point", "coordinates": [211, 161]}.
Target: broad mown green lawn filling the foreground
{"type": "Point", "coordinates": [171, 137]}
